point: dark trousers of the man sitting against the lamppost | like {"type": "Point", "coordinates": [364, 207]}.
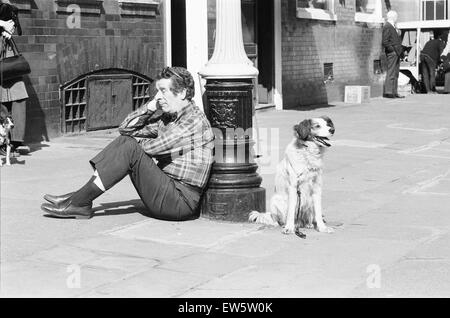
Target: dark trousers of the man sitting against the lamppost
{"type": "Point", "coordinates": [164, 197]}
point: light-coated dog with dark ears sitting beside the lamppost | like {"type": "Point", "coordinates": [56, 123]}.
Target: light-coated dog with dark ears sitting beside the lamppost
{"type": "Point", "coordinates": [297, 201]}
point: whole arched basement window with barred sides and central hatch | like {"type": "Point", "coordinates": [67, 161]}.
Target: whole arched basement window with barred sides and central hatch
{"type": "Point", "coordinates": [102, 99]}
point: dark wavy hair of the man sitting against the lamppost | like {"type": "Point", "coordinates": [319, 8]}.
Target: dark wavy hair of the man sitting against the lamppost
{"type": "Point", "coordinates": [181, 79]}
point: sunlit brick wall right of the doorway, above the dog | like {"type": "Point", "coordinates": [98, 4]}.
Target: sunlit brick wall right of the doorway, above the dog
{"type": "Point", "coordinates": [307, 44]}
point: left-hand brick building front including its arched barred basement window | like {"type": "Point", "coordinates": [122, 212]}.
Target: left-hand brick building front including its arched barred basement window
{"type": "Point", "coordinates": [91, 62]}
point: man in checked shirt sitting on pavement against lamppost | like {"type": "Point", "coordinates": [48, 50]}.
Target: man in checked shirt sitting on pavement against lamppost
{"type": "Point", "coordinates": [170, 129]}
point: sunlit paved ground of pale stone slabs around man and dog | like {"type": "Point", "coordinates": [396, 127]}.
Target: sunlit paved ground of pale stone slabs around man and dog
{"type": "Point", "coordinates": [386, 191]}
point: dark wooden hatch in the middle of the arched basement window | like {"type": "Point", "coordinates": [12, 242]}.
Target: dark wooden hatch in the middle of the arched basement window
{"type": "Point", "coordinates": [109, 100]}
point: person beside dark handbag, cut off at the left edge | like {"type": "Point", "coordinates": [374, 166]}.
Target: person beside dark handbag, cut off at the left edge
{"type": "Point", "coordinates": [13, 94]}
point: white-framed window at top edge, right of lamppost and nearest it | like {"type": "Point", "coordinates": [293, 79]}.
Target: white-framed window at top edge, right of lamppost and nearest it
{"type": "Point", "coordinates": [316, 9]}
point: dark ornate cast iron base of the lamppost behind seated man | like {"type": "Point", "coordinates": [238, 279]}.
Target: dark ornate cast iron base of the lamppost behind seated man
{"type": "Point", "coordinates": [234, 186]}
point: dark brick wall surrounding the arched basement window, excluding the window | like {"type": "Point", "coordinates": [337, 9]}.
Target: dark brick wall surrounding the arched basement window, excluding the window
{"type": "Point", "coordinates": [57, 53]}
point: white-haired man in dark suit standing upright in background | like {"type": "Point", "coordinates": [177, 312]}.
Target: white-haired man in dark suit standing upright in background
{"type": "Point", "coordinates": [392, 45]}
